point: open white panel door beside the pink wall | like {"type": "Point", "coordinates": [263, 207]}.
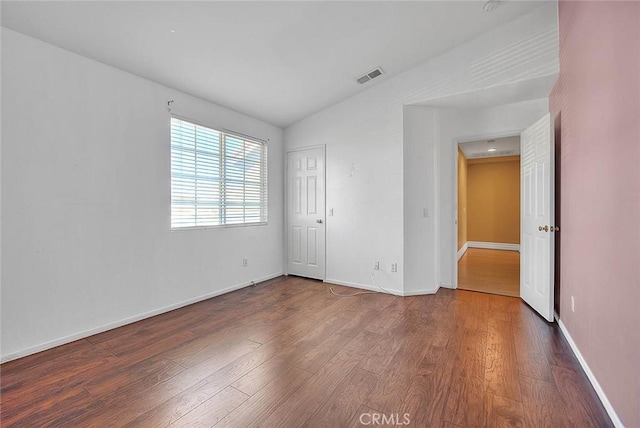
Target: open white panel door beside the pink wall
{"type": "Point", "coordinates": [537, 228]}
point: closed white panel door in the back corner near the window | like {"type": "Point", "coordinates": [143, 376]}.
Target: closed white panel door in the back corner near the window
{"type": "Point", "coordinates": [306, 227]}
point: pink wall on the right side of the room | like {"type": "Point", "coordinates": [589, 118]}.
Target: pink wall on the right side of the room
{"type": "Point", "coordinates": [597, 104]}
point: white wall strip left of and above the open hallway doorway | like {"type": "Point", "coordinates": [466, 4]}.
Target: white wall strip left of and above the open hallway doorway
{"type": "Point", "coordinates": [467, 124]}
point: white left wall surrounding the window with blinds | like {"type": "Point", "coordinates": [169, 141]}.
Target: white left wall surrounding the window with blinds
{"type": "Point", "coordinates": [85, 196]}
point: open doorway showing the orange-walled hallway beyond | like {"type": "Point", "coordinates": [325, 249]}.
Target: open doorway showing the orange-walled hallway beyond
{"type": "Point", "coordinates": [489, 215]}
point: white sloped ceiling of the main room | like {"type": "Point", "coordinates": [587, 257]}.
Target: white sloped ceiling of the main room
{"type": "Point", "coordinates": [277, 61]}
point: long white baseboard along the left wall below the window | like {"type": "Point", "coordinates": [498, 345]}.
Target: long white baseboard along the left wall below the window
{"type": "Point", "coordinates": [81, 335]}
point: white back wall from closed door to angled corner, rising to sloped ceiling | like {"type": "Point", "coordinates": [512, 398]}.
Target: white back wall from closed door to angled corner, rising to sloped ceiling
{"type": "Point", "coordinates": [367, 131]}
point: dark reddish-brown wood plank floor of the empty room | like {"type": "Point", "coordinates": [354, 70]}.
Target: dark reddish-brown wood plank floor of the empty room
{"type": "Point", "coordinates": [288, 353]}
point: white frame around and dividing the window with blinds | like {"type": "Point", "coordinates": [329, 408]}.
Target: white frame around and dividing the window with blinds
{"type": "Point", "coordinates": [222, 161]}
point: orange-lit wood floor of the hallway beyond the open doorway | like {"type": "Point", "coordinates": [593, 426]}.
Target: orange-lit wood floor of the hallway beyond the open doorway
{"type": "Point", "coordinates": [490, 271]}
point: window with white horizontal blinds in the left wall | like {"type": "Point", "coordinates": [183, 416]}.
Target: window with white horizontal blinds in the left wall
{"type": "Point", "coordinates": [216, 178]}
